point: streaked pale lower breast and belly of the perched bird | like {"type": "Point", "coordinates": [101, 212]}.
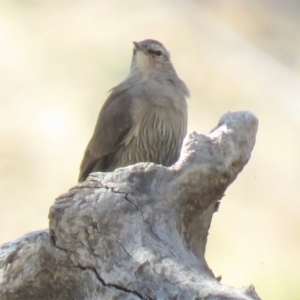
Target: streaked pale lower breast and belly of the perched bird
{"type": "Point", "coordinates": [156, 136]}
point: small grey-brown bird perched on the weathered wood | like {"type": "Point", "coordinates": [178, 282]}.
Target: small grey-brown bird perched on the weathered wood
{"type": "Point", "coordinates": [144, 118]}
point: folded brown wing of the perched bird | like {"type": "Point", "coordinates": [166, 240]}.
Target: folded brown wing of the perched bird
{"type": "Point", "coordinates": [113, 125]}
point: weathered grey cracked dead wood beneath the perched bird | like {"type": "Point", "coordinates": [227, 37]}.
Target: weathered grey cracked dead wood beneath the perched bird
{"type": "Point", "coordinates": [139, 232]}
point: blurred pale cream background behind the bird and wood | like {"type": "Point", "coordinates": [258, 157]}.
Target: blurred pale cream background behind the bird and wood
{"type": "Point", "coordinates": [58, 59]}
